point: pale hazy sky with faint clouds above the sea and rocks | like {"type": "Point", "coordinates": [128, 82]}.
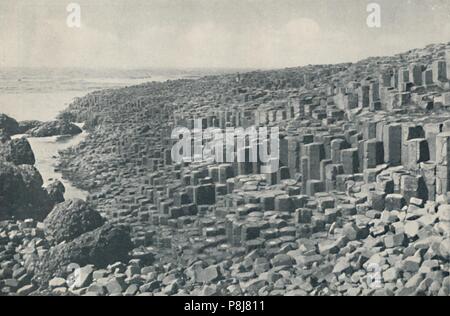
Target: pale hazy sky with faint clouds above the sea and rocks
{"type": "Point", "coordinates": [213, 33]}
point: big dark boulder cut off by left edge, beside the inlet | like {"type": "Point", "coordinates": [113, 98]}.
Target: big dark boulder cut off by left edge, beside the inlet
{"type": "Point", "coordinates": [21, 193]}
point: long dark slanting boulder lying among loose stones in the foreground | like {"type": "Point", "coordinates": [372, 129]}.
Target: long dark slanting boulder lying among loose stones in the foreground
{"type": "Point", "coordinates": [101, 247]}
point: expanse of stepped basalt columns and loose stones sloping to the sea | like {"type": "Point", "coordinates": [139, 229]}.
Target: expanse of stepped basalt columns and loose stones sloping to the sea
{"type": "Point", "coordinates": [357, 206]}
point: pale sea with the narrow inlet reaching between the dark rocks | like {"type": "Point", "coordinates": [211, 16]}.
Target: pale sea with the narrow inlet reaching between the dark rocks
{"type": "Point", "coordinates": [41, 94]}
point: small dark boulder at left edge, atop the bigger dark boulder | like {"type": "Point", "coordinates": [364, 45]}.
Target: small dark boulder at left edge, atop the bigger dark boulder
{"type": "Point", "coordinates": [17, 151]}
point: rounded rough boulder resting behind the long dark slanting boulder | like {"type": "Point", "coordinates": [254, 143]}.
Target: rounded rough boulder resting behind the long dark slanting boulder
{"type": "Point", "coordinates": [70, 220]}
